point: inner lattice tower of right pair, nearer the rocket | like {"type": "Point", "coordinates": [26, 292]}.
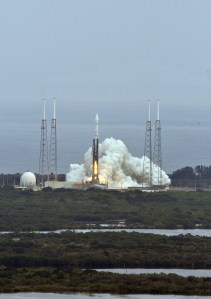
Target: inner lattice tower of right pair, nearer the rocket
{"type": "Point", "coordinates": [147, 164]}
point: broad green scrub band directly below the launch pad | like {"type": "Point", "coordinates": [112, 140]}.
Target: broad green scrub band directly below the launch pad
{"type": "Point", "coordinates": [50, 210]}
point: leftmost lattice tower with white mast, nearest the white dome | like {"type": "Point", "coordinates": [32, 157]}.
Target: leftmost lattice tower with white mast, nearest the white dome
{"type": "Point", "coordinates": [43, 162]}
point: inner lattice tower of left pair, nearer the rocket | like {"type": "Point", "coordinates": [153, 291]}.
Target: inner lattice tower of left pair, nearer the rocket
{"type": "Point", "coordinates": [53, 147]}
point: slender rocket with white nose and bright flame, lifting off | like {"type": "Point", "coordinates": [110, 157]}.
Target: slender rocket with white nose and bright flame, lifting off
{"type": "Point", "coordinates": [95, 151]}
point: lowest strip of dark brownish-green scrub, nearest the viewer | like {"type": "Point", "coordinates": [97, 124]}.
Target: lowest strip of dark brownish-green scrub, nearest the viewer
{"type": "Point", "coordinates": [57, 280]}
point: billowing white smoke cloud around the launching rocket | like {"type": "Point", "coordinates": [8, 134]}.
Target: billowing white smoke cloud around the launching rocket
{"type": "Point", "coordinates": [116, 165]}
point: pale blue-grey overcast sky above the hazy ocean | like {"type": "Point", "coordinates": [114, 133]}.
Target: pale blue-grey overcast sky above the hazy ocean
{"type": "Point", "coordinates": [105, 56]}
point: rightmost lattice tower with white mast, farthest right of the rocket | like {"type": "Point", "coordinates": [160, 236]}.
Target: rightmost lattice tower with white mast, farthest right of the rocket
{"type": "Point", "coordinates": [157, 158]}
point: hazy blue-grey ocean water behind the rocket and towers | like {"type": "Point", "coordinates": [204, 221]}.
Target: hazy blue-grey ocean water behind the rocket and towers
{"type": "Point", "coordinates": [182, 145]}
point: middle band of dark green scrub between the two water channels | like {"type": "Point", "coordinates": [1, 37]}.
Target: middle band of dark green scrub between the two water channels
{"type": "Point", "coordinates": [104, 250]}
